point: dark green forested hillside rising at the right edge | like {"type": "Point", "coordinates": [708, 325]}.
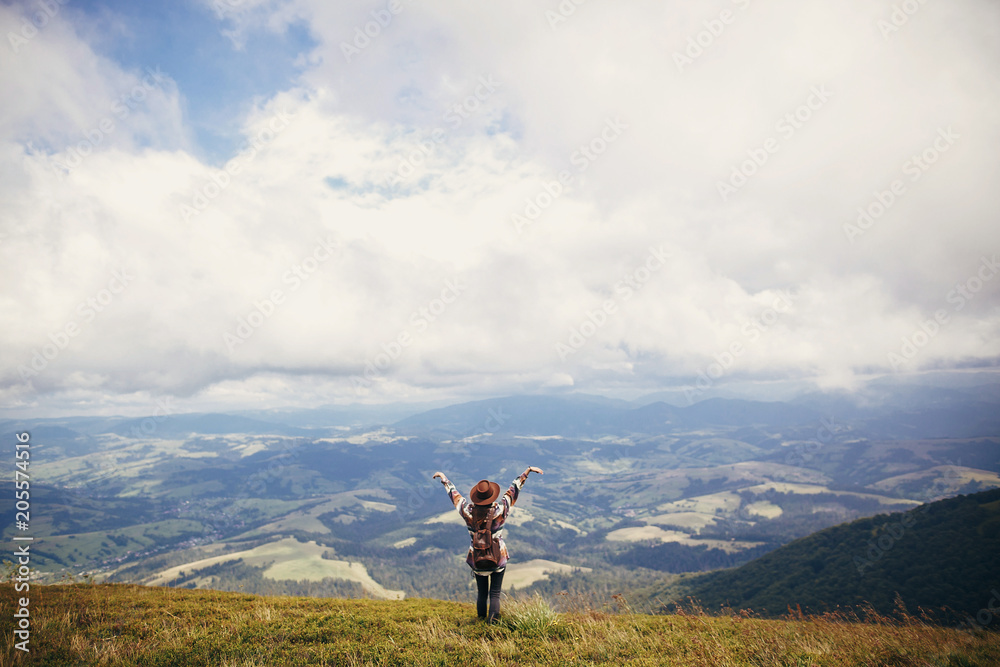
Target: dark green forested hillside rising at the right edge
{"type": "Point", "coordinates": [940, 556]}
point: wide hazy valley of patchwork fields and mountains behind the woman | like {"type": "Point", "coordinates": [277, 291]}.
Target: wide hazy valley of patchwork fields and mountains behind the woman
{"type": "Point", "coordinates": [339, 500]}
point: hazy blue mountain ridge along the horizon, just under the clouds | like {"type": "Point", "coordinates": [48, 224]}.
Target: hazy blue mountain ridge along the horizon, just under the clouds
{"type": "Point", "coordinates": [886, 410]}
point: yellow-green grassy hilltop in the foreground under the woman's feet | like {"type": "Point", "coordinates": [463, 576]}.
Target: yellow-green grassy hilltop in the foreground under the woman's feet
{"type": "Point", "coordinates": [118, 624]}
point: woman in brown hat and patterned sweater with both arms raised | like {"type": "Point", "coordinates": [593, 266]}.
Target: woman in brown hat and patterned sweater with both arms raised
{"type": "Point", "coordinates": [485, 518]}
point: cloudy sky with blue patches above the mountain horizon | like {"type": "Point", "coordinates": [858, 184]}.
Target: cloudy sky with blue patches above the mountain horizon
{"type": "Point", "coordinates": [237, 203]}
